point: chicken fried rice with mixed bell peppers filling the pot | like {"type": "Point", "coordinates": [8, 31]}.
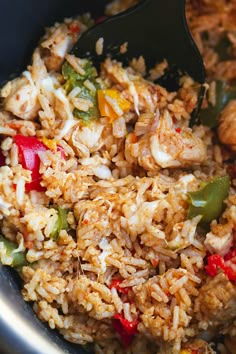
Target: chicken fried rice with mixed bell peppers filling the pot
{"type": "Point", "coordinates": [118, 214]}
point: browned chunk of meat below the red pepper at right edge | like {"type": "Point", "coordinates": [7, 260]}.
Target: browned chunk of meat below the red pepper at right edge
{"type": "Point", "coordinates": [217, 301]}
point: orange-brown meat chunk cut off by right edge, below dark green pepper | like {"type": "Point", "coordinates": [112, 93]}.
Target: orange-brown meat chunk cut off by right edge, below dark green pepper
{"type": "Point", "coordinates": [227, 126]}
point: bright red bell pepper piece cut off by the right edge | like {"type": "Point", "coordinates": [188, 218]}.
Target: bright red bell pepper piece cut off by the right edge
{"type": "Point", "coordinates": [227, 263]}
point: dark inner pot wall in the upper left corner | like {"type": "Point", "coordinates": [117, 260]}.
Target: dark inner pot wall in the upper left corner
{"type": "Point", "coordinates": [22, 23]}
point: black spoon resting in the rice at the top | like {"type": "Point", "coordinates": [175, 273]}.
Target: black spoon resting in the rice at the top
{"type": "Point", "coordinates": [155, 29]}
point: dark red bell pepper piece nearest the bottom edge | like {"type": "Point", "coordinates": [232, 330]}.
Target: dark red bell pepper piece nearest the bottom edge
{"type": "Point", "coordinates": [126, 329]}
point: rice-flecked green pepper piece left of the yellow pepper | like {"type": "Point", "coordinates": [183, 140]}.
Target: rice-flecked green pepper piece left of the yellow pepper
{"type": "Point", "coordinates": [74, 79]}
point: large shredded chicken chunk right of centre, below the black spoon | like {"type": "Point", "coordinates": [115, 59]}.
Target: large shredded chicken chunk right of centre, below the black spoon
{"type": "Point", "coordinates": [165, 147]}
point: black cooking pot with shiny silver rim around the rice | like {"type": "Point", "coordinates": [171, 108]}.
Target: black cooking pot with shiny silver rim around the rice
{"type": "Point", "coordinates": [22, 23]}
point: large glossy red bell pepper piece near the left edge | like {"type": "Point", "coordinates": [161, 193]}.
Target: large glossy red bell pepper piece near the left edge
{"type": "Point", "coordinates": [28, 149]}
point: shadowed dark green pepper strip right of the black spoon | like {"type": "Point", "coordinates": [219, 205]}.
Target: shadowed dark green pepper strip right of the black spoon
{"type": "Point", "coordinates": [224, 93]}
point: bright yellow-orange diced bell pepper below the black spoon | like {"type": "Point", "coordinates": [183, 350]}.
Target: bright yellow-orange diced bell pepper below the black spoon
{"type": "Point", "coordinates": [105, 107]}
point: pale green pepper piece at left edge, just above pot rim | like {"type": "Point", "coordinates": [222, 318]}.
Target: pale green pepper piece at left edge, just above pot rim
{"type": "Point", "coordinates": [18, 258]}
